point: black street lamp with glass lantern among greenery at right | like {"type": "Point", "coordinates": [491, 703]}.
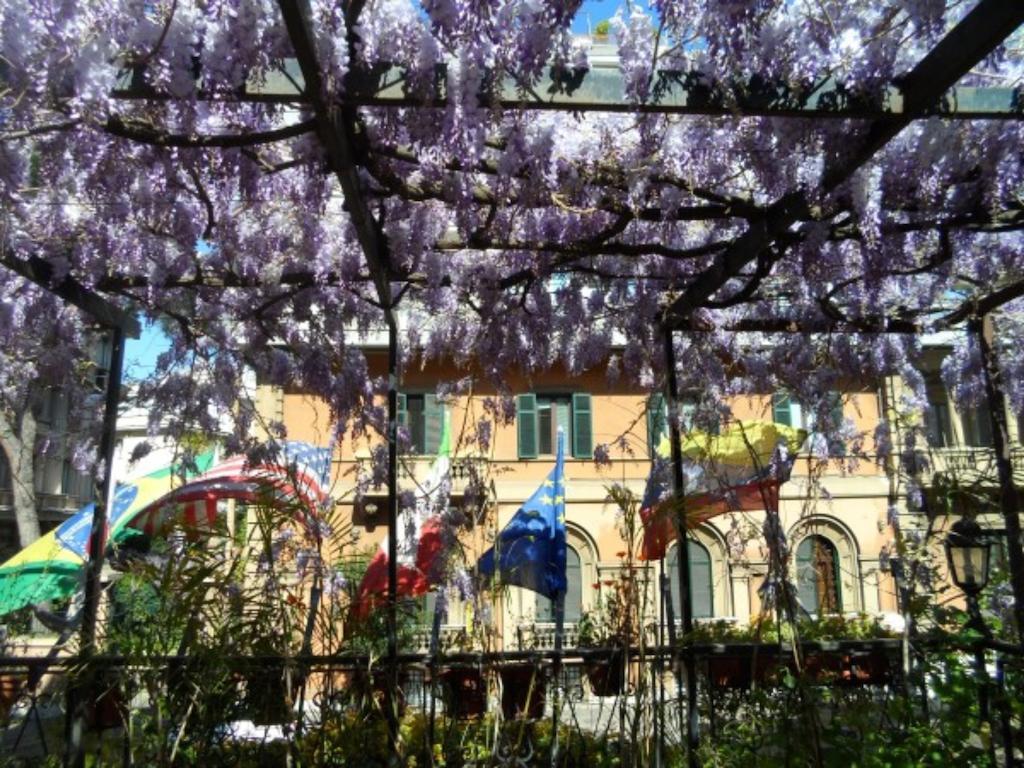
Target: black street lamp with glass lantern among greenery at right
{"type": "Point", "coordinates": [968, 554]}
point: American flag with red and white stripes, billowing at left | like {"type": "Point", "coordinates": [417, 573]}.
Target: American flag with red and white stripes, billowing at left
{"type": "Point", "coordinates": [289, 474]}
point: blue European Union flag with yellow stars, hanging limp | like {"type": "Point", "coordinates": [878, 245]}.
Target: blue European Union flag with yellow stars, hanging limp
{"type": "Point", "coordinates": [531, 550]}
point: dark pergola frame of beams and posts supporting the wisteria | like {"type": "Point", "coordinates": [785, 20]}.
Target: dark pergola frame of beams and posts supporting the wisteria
{"type": "Point", "coordinates": [928, 91]}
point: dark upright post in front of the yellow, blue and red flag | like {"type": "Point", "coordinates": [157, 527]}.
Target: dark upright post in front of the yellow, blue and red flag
{"type": "Point", "coordinates": [689, 667]}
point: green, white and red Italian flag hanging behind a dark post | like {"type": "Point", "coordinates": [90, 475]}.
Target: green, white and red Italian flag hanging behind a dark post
{"type": "Point", "coordinates": [419, 534]}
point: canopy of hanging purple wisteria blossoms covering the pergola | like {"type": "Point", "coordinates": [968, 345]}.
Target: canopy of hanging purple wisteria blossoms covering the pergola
{"type": "Point", "coordinates": [167, 157]}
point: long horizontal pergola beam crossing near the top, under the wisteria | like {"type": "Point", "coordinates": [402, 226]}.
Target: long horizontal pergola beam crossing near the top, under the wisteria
{"type": "Point", "coordinates": [602, 90]}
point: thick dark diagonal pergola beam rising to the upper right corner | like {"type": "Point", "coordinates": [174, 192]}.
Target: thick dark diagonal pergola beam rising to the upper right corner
{"type": "Point", "coordinates": [982, 31]}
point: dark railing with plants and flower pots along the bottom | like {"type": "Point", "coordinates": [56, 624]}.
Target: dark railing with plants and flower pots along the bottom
{"type": "Point", "coordinates": [605, 700]}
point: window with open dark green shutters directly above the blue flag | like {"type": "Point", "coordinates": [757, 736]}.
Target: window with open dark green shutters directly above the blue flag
{"type": "Point", "coordinates": [540, 417]}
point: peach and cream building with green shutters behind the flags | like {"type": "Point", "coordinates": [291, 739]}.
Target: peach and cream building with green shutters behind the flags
{"type": "Point", "coordinates": [837, 526]}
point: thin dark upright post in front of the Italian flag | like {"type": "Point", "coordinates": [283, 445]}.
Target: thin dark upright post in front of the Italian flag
{"type": "Point", "coordinates": [391, 704]}
